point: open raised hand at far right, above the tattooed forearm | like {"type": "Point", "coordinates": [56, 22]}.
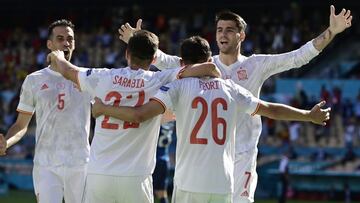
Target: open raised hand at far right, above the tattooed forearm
{"type": "Point", "coordinates": [340, 22]}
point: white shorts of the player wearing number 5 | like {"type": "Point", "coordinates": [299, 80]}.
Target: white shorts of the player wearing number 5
{"type": "Point", "coordinates": [53, 184]}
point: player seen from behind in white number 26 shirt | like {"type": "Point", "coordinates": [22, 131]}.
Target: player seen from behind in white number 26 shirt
{"type": "Point", "coordinates": [207, 114]}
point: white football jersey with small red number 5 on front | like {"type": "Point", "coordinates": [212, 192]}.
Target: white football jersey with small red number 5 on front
{"type": "Point", "coordinates": [62, 118]}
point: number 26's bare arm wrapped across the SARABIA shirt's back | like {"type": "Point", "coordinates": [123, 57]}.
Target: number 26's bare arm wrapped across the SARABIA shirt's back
{"type": "Point", "coordinates": [132, 114]}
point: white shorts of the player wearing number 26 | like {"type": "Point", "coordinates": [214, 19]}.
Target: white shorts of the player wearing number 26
{"type": "Point", "coordinates": [181, 196]}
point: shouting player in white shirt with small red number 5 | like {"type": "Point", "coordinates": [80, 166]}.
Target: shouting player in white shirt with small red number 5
{"type": "Point", "coordinates": [62, 125]}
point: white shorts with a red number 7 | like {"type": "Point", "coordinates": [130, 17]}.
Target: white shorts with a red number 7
{"type": "Point", "coordinates": [245, 176]}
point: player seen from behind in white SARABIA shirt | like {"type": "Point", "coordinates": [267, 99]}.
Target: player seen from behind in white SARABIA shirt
{"type": "Point", "coordinates": [122, 156]}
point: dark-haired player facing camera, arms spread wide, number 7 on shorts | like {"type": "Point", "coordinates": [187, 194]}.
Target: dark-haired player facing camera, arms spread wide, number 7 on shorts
{"type": "Point", "coordinates": [250, 73]}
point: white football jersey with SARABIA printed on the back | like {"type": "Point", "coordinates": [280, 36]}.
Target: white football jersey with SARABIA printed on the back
{"type": "Point", "coordinates": [121, 148]}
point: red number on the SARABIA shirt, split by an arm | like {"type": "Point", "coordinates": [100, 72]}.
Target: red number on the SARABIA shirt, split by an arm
{"type": "Point", "coordinates": [105, 123]}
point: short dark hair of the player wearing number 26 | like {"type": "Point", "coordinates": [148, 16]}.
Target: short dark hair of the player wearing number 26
{"type": "Point", "coordinates": [195, 49]}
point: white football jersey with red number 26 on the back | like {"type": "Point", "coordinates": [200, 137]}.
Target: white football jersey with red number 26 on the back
{"type": "Point", "coordinates": [207, 112]}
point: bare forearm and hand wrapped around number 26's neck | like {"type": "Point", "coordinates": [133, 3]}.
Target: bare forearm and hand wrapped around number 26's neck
{"type": "Point", "coordinates": [201, 70]}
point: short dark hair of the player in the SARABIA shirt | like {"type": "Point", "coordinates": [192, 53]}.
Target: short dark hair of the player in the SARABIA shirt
{"type": "Point", "coordinates": [142, 46]}
